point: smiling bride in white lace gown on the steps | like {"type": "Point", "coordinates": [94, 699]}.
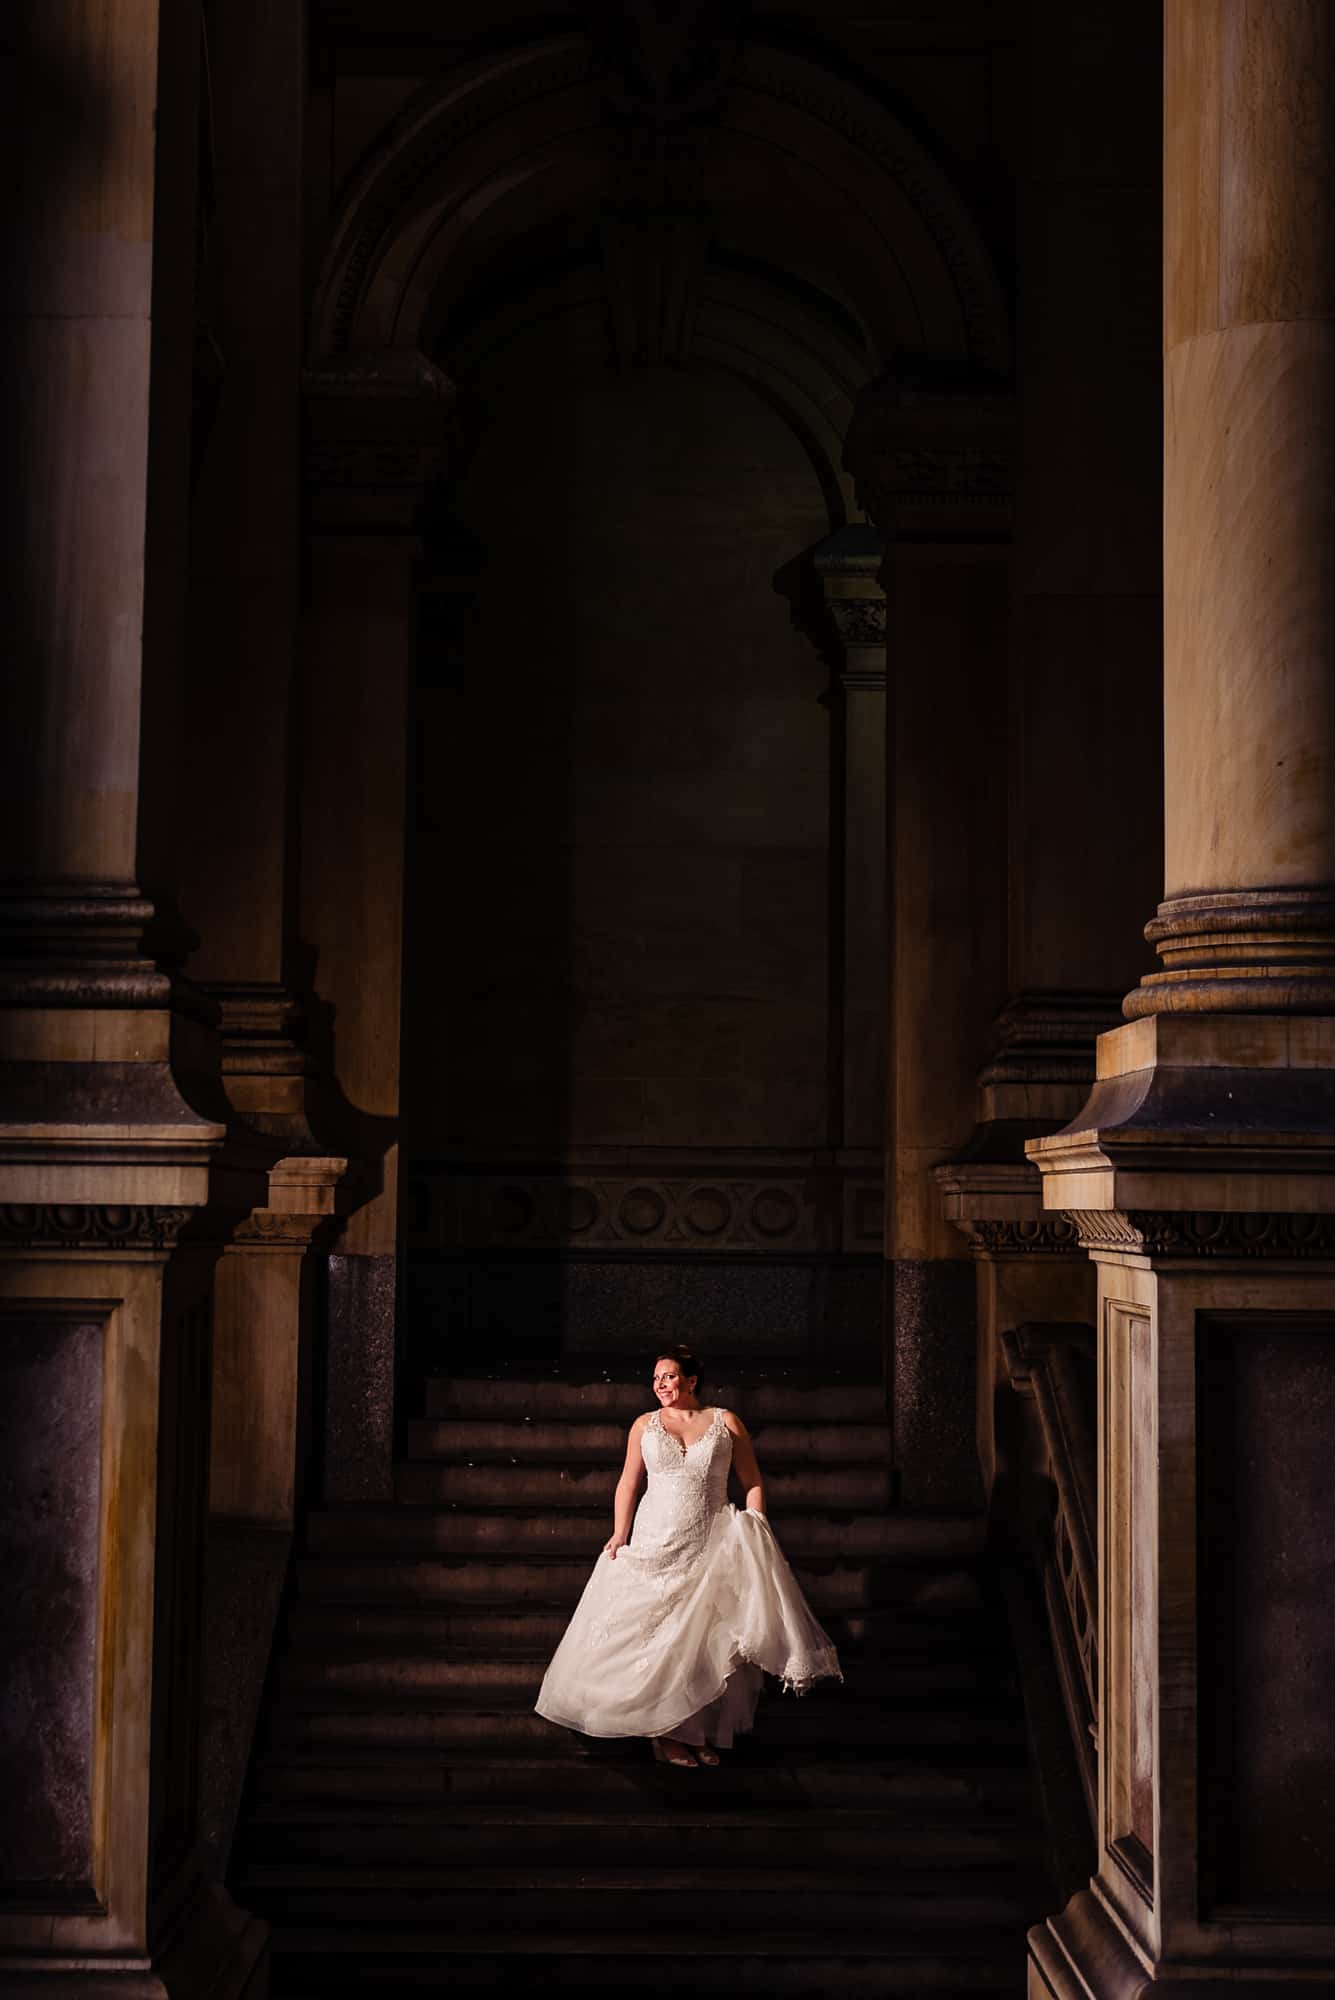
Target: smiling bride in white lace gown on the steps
{"type": "Point", "coordinates": [680, 1619]}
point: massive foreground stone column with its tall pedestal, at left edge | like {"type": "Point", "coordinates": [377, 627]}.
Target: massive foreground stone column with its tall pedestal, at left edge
{"type": "Point", "coordinates": [105, 1165]}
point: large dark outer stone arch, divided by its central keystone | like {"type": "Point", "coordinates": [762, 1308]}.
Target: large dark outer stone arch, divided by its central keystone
{"type": "Point", "coordinates": [796, 157]}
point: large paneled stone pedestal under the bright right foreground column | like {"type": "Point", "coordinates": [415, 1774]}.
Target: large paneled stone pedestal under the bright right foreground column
{"type": "Point", "coordinates": [1200, 1179]}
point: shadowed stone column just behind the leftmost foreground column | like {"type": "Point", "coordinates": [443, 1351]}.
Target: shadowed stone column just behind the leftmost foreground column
{"type": "Point", "coordinates": [237, 847]}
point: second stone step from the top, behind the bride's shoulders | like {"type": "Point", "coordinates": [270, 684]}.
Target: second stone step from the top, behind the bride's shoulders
{"type": "Point", "coordinates": [477, 1441]}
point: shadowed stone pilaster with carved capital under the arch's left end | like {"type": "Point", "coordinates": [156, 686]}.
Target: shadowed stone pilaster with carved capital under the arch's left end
{"type": "Point", "coordinates": [379, 431]}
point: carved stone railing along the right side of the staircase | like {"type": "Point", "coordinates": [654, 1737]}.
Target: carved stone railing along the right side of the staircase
{"type": "Point", "coordinates": [1056, 1367]}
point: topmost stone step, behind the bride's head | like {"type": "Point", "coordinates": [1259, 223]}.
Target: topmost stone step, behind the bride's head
{"type": "Point", "coordinates": [617, 1397]}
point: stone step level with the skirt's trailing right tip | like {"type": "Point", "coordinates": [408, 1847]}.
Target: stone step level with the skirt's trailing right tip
{"type": "Point", "coordinates": [367, 1669]}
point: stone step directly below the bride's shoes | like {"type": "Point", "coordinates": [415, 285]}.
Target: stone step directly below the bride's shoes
{"type": "Point", "coordinates": [613, 1779]}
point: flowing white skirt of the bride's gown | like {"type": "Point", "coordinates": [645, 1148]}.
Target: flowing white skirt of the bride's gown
{"type": "Point", "coordinates": [676, 1647]}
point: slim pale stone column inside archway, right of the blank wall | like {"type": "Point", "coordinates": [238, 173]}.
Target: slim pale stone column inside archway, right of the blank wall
{"type": "Point", "coordinates": [850, 569]}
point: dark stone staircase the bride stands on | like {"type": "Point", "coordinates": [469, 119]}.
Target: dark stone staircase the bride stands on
{"type": "Point", "coordinates": [413, 1823]}
